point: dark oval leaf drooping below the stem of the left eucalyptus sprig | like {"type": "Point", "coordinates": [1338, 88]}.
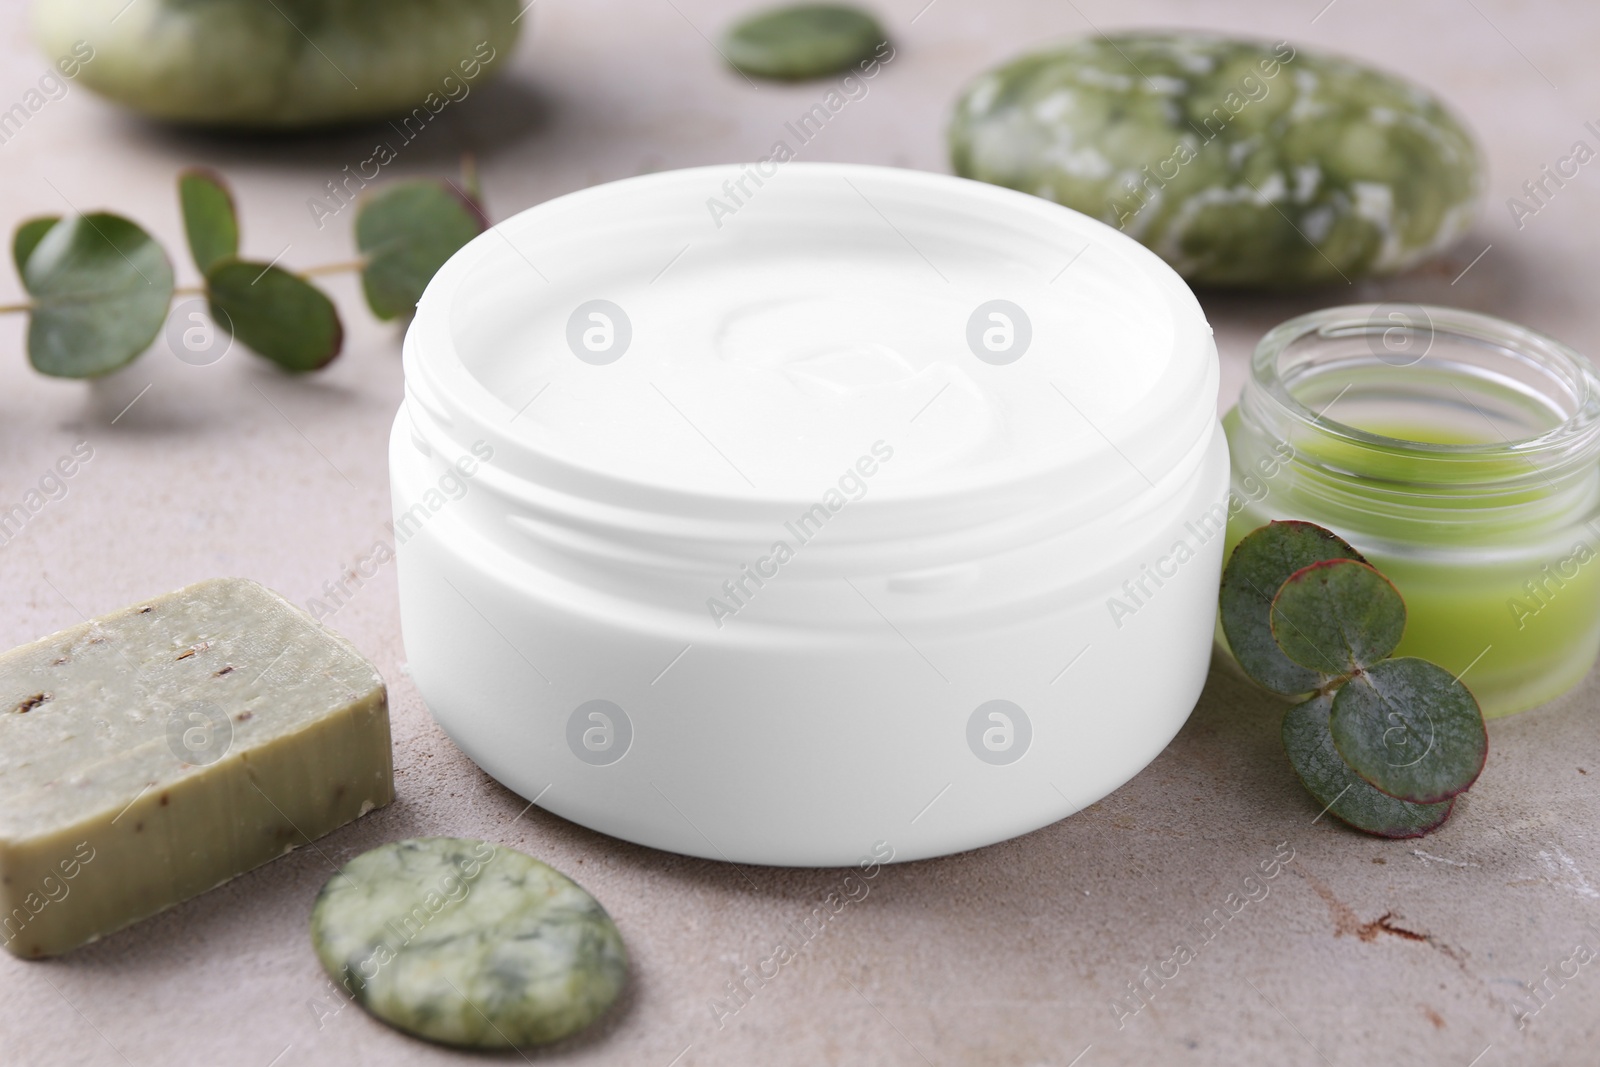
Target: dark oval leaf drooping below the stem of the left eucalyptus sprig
{"type": "Point", "coordinates": [276, 313]}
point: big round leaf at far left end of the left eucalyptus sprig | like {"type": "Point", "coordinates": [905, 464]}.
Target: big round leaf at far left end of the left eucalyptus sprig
{"type": "Point", "coordinates": [102, 287]}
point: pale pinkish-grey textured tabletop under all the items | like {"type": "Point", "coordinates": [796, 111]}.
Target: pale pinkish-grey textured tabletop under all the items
{"type": "Point", "coordinates": [1014, 956]}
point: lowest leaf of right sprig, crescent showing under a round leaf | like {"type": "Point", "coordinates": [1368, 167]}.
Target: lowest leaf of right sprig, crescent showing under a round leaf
{"type": "Point", "coordinates": [1338, 789]}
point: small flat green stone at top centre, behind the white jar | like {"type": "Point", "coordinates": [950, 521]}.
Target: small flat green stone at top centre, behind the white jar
{"type": "Point", "coordinates": [807, 41]}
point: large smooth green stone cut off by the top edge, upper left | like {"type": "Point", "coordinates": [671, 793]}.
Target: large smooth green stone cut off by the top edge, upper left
{"type": "Point", "coordinates": [281, 63]}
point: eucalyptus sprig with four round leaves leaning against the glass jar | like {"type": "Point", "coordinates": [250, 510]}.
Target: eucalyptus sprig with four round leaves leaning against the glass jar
{"type": "Point", "coordinates": [1385, 743]}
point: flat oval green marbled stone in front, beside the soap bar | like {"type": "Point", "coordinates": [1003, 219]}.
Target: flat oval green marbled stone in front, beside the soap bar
{"type": "Point", "coordinates": [468, 943]}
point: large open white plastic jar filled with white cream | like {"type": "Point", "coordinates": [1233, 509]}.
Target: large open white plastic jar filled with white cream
{"type": "Point", "coordinates": [793, 514]}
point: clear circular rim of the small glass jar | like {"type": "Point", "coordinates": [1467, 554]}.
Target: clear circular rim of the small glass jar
{"type": "Point", "coordinates": [1575, 436]}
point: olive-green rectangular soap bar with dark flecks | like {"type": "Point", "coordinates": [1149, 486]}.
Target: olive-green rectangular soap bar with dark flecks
{"type": "Point", "coordinates": [159, 751]}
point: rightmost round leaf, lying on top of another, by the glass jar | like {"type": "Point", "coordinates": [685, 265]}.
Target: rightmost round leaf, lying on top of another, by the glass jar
{"type": "Point", "coordinates": [1412, 730]}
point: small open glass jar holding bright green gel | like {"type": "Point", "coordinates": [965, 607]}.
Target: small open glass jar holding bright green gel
{"type": "Point", "coordinates": [1462, 455]}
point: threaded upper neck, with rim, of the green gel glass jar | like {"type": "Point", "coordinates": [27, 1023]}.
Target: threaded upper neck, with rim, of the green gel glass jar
{"type": "Point", "coordinates": [1426, 415]}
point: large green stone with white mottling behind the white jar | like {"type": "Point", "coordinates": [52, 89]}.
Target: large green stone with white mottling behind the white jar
{"type": "Point", "coordinates": [1239, 162]}
